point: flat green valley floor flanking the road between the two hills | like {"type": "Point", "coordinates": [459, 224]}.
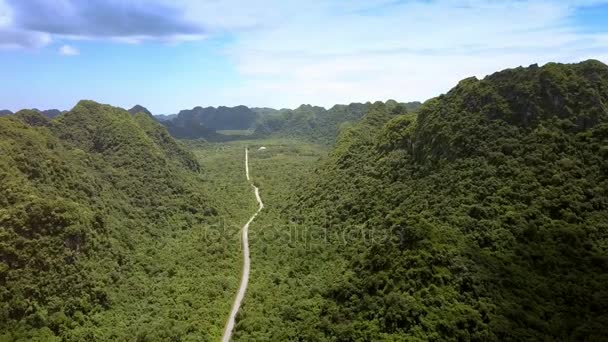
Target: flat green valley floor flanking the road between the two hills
{"type": "Point", "coordinates": [276, 246]}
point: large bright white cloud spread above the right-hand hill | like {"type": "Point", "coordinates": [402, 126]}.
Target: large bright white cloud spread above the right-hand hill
{"type": "Point", "coordinates": [414, 50]}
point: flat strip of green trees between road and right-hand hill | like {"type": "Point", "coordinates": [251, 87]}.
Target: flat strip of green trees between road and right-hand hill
{"type": "Point", "coordinates": [281, 301]}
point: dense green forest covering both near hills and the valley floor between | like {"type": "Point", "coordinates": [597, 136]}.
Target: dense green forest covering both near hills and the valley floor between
{"type": "Point", "coordinates": [480, 216]}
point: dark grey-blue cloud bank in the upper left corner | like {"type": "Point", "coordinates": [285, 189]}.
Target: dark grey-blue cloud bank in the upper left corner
{"type": "Point", "coordinates": [32, 23]}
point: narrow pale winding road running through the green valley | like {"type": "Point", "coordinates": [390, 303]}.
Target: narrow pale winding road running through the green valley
{"type": "Point", "coordinates": [246, 262]}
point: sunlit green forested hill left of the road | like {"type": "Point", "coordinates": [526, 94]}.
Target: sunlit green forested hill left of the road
{"type": "Point", "coordinates": [91, 205]}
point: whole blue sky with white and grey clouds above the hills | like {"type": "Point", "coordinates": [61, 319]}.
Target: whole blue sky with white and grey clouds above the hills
{"type": "Point", "coordinates": [169, 55]}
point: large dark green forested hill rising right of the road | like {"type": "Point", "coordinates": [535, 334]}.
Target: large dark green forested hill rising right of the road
{"type": "Point", "coordinates": [484, 217]}
